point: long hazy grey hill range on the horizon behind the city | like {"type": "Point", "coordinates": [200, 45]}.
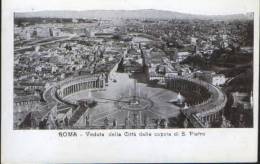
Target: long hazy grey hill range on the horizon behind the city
{"type": "Point", "coordinates": [131, 14]}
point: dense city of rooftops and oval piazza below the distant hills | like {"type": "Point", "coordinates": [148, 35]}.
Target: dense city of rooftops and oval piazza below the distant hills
{"type": "Point", "coordinates": [132, 73]}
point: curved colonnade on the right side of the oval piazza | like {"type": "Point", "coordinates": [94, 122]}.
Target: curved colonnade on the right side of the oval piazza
{"type": "Point", "coordinates": [206, 101]}
